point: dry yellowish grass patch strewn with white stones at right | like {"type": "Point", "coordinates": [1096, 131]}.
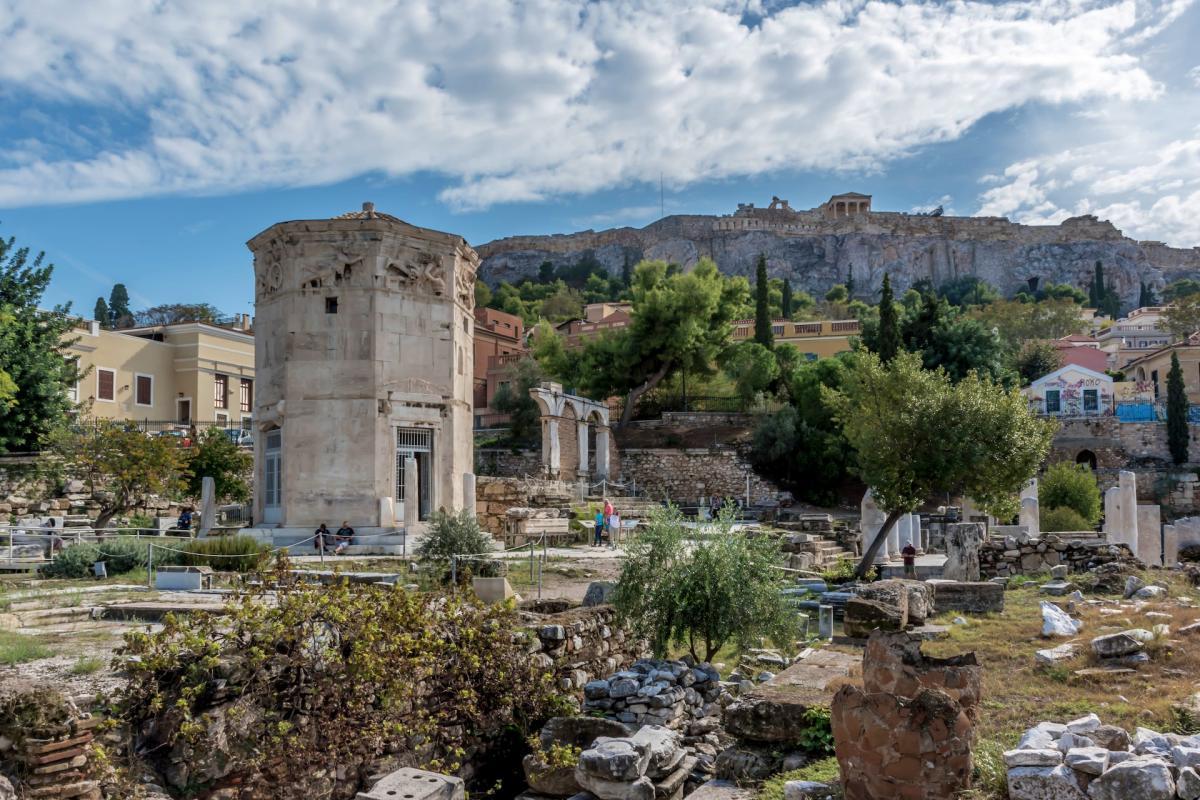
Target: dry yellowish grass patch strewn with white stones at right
{"type": "Point", "coordinates": [1019, 694]}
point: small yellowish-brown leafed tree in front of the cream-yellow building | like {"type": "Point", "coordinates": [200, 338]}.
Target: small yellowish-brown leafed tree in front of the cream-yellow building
{"type": "Point", "coordinates": [119, 465]}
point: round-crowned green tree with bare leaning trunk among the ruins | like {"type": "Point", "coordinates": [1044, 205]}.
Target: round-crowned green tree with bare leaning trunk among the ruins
{"type": "Point", "coordinates": [919, 436]}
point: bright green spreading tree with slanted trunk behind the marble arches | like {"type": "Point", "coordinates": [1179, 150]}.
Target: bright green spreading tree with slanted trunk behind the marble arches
{"type": "Point", "coordinates": [681, 321]}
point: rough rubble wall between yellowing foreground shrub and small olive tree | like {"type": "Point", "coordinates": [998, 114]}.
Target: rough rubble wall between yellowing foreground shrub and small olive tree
{"type": "Point", "coordinates": [580, 645]}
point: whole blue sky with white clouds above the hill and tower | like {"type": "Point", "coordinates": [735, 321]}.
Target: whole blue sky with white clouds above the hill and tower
{"type": "Point", "coordinates": [146, 141]}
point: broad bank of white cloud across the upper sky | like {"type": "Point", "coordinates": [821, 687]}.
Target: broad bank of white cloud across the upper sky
{"type": "Point", "coordinates": [523, 101]}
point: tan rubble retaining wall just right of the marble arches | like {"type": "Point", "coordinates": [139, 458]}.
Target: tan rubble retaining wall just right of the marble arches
{"type": "Point", "coordinates": [687, 476]}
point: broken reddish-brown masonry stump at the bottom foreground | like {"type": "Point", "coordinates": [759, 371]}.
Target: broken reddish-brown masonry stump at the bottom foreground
{"type": "Point", "coordinates": [909, 731]}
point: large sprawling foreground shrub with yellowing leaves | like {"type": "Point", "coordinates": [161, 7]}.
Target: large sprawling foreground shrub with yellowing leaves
{"type": "Point", "coordinates": [344, 675]}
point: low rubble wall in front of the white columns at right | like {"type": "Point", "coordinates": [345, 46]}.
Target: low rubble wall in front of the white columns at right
{"type": "Point", "coordinates": [1007, 558]}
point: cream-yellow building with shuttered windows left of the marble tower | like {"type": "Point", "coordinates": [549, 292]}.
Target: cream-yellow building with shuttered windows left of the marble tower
{"type": "Point", "coordinates": [169, 375]}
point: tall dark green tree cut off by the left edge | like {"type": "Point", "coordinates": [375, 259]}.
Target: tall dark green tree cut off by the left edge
{"type": "Point", "coordinates": [34, 352]}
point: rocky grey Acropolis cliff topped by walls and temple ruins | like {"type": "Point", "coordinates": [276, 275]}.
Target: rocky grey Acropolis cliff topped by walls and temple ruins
{"type": "Point", "coordinates": [818, 248]}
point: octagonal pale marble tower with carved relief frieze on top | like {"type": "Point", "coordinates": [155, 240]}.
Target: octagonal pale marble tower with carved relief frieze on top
{"type": "Point", "coordinates": [363, 340]}
